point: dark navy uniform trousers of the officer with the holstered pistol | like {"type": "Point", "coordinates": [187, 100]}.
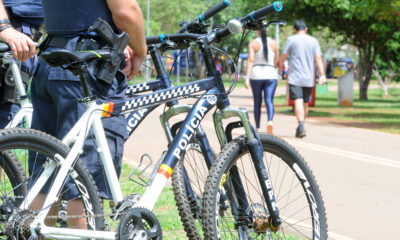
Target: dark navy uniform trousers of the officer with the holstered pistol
{"type": "Point", "coordinates": [55, 93]}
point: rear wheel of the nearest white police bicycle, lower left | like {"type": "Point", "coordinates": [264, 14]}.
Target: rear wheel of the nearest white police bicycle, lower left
{"type": "Point", "coordinates": [78, 205]}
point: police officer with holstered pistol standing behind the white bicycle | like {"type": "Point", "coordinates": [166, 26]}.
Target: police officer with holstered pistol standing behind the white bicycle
{"type": "Point", "coordinates": [55, 92]}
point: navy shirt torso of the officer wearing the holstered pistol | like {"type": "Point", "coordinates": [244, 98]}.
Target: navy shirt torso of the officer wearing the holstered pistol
{"type": "Point", "coordinates": [73, 16]}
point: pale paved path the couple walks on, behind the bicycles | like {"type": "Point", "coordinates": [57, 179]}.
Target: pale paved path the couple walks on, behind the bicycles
{"type": "Point", "coordinates": [358, 170]}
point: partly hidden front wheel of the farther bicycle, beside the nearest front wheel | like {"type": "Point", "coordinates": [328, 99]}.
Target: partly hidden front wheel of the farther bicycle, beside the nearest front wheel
{"type": "Point", "coordinates": [190, 211]}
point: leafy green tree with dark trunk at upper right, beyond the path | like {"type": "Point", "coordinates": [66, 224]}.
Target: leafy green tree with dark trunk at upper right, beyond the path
{"type": "Point", "coordinates": [366, 24]}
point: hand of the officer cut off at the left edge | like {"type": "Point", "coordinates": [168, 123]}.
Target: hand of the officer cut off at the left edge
{"type": "Point", "coordinates": [21, 45]}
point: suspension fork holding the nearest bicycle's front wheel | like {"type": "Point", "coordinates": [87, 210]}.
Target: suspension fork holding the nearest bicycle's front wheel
{"type": "Point", "coordinates": [253, 143]}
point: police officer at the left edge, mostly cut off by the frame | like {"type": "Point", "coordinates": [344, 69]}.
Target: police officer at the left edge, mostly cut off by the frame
{"type": "Point", "coordinates": [20, 21]}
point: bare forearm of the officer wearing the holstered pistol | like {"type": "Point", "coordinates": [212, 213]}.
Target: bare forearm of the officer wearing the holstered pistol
{"type": "Point", "coordinates": [128, 17]}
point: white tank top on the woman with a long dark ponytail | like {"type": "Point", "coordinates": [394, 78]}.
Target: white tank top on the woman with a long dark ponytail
{"type": "Point", "coordinates": [262, 69]}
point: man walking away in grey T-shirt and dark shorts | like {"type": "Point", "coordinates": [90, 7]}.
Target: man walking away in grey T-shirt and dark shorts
{"type": "Point", "coordinates": [304, 52]}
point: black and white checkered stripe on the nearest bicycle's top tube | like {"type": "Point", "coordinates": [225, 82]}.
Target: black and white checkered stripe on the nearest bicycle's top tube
{"type": "Point", "coordinates": [160, 97]}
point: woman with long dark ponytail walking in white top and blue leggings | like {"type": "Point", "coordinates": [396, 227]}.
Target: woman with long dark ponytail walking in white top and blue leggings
{"type": "Point", "coordinates": [262, 75]}
